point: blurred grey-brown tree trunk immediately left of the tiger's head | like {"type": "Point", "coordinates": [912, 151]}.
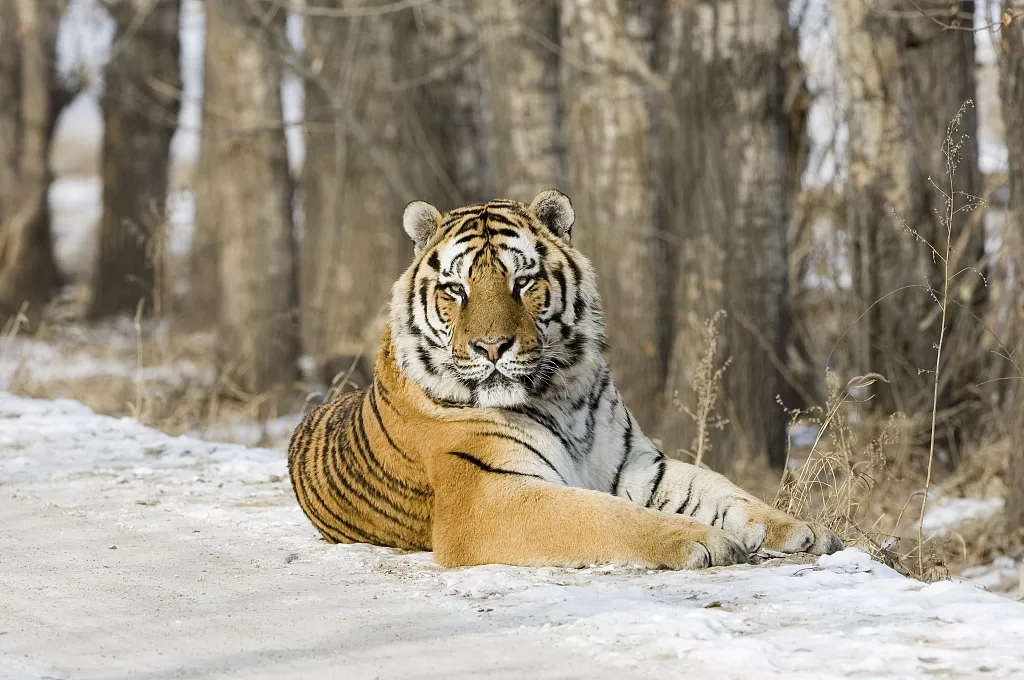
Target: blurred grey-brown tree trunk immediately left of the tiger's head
{"type": "Point", "coordinates": [354, 247]}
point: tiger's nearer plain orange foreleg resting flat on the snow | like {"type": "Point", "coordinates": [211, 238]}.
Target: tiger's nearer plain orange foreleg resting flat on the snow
{"type": "Point", "coordinates": [485, 515]}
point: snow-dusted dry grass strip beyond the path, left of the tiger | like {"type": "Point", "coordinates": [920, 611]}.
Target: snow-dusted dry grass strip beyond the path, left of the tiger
{"type": "Point", "coordinates": [139, 368]}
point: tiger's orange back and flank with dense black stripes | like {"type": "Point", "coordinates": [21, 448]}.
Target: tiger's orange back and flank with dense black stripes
{"type": "Point", "coordinates": [354, 481]}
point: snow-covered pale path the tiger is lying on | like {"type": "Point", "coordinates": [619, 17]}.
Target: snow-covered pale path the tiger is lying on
{"type": "Point", "coordinates": [125, 554]}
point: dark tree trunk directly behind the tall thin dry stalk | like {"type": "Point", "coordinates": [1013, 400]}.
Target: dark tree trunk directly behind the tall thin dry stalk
{"type": "Point", "coordinates": [941, 67]}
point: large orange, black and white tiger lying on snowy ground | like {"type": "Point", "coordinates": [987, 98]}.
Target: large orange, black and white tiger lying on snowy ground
{"type": "Point", "coordinates": [492, 432]}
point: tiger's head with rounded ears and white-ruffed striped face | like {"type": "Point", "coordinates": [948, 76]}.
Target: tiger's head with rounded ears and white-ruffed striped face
{"type": "Point", "coordinates": [498, 308]}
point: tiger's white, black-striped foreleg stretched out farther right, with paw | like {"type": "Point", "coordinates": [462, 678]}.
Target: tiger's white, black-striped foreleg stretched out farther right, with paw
{"type": "Point", "coordinates": [651, 480]}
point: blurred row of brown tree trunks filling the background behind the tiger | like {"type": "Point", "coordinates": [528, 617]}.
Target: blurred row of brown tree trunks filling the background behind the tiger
{"type": "Point", "coordinates": [783, 162]}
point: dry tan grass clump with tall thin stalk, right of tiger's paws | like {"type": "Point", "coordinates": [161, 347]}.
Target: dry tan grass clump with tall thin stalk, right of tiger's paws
{"type": "Point", "coordinates": [850, 487]}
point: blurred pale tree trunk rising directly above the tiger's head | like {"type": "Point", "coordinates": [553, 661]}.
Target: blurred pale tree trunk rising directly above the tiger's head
{"type": "Point", "coordinates": [522, 76]}
